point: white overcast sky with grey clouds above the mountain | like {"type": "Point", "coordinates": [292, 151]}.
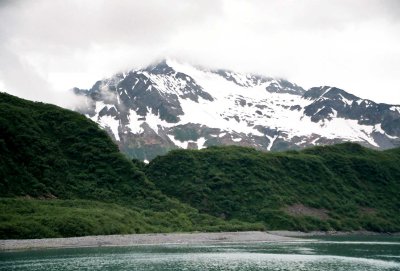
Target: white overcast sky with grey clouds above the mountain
{"type": "Point", "coordinates": [50, 46]}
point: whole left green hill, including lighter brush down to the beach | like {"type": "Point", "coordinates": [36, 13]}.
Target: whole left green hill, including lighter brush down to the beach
{"type": "Point", "coordinates": [61, 175]}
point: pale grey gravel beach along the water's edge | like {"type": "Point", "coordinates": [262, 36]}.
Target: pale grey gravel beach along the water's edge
{"type": "Point", "coordinates": [145, 239]}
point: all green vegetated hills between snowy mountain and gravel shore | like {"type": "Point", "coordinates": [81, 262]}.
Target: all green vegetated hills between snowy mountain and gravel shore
{"type": "Point", "coordinates": [61, 175]}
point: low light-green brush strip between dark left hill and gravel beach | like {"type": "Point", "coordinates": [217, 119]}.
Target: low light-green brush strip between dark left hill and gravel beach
{"type": "Point", "coordinates": [33, 218]}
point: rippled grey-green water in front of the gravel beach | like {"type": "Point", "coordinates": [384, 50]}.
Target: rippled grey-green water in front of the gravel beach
{"type": "Point", "coordinates": [339, 253]}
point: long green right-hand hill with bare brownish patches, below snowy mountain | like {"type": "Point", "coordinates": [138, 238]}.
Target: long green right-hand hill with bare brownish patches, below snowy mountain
{"type": "Point", "coordinates": [339, 187]}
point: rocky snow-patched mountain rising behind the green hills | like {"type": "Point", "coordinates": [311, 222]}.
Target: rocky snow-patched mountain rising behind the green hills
{"type": "Point", "coordinates": [173, 105]}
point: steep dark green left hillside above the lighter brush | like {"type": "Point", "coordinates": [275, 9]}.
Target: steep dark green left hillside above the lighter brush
{"type": "Point", "coordinates": [50, 152]}
